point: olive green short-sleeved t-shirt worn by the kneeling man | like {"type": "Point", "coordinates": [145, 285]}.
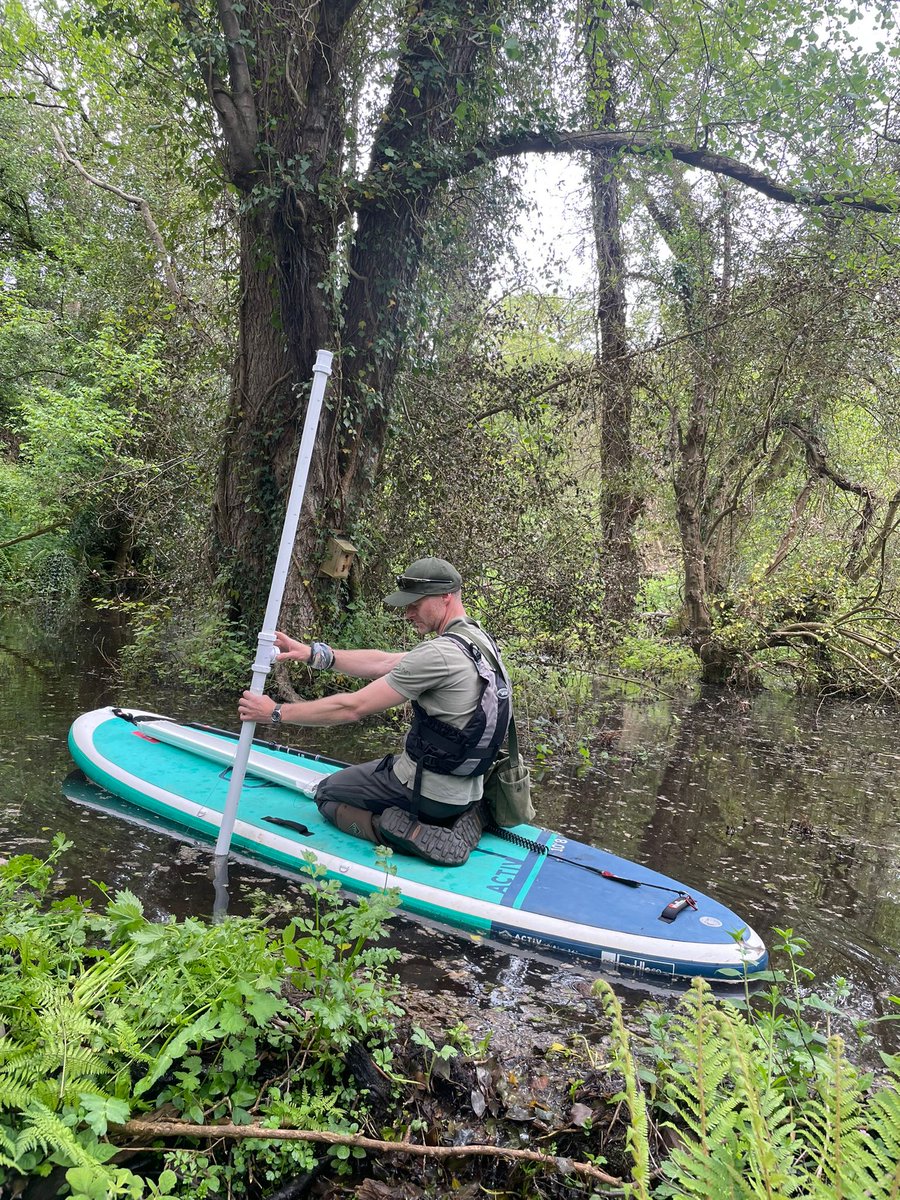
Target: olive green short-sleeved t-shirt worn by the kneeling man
{"type": "Point", "coordinates": [442, 677]}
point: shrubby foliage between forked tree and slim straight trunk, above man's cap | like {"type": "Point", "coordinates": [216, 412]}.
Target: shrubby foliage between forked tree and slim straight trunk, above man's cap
{"type": "Point", "coordinates": [493, 475]}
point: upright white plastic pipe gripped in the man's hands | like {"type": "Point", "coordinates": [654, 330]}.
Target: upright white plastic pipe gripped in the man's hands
{"type": "Point", "coordinates": [266, 643]}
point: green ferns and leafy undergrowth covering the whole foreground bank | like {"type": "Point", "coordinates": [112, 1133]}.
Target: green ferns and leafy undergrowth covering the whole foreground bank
{"type": "Point", "coordinates": [109, 1018]}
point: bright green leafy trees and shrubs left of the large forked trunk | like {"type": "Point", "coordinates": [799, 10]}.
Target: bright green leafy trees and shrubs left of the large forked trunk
{"type": "Point", "coordinates": [109, 385]}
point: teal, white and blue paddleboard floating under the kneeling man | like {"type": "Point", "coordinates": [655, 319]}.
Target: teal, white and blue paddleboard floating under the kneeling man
{"type": "Point", "coordinates": [547, 902]}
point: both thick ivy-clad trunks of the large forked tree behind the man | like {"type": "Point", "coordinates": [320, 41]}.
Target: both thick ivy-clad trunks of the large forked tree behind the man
{"type": "Point", "coordinates": [284, 127]}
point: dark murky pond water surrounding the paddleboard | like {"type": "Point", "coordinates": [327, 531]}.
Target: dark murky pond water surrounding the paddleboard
{"type": "Point", "coordinates": [785, 811]}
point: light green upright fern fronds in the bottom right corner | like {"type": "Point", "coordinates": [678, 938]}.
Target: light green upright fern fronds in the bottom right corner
{"type": "Point", "coordinates": [747, 1115]}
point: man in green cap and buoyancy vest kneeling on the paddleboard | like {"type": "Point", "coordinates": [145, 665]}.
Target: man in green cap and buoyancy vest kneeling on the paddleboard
{"type": "Point", "coordinates": [427, 800]}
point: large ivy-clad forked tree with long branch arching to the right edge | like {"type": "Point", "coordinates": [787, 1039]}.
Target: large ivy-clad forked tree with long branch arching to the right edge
{"type": "Point", "coordinates": [280, 79]}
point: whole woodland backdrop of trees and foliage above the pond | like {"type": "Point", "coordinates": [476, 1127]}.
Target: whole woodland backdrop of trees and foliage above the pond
{"type": "Point", "coordinates": [195, 199]}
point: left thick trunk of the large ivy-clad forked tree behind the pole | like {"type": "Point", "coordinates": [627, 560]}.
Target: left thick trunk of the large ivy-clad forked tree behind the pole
{"type": "Point", "coordinates": [281, 117]}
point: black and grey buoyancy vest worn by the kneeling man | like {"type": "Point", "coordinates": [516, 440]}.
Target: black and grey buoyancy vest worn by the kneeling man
{"type": "Point", "coordinates": [443, 748]}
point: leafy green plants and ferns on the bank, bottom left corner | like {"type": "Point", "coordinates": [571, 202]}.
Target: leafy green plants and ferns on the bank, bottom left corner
{"type": "Point", "coordinates": [106, 1016]}
